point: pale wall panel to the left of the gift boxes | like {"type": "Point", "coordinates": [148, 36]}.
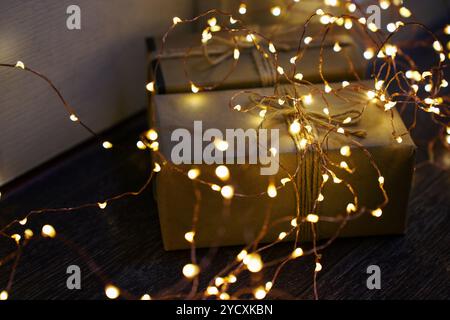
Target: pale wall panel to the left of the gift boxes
{"type": "Point", "coordinates": [100, 69]}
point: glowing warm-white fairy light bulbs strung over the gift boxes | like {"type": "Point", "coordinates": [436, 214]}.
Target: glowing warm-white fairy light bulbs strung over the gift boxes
{"type": "Point", "coordinates": [253, 261]}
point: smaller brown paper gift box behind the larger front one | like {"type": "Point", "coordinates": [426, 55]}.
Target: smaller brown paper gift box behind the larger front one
{"type": "Point", "coordinates": [170, 77]}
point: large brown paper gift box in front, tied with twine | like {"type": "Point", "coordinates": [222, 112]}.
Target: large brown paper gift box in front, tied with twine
{"type": "Point", "coordinates": [242, 222]}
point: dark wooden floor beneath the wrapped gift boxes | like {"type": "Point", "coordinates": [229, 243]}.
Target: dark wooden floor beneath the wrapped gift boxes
{"type": "Point", "coordinates": [123, 242]}
